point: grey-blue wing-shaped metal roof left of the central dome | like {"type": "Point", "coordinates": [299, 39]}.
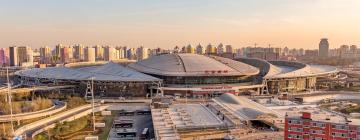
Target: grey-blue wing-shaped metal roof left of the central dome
{"type": "Point", "coordinates": [107, 72]}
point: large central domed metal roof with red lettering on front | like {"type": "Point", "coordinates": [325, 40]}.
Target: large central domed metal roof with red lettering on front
{"type": "Point", "coordinates": [185, 64]}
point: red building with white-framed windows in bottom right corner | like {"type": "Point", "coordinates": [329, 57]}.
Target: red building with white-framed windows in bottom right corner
{"type": "Point", "coordinates": [320, 126]}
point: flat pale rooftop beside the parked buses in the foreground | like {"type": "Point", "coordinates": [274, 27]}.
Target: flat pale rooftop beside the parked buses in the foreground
{"type": "Point", "coordinates": [167, 121]}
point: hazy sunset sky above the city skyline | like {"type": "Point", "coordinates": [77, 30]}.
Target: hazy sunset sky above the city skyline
{"type": "Point", "coordinates": [167, 23]}
